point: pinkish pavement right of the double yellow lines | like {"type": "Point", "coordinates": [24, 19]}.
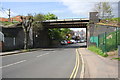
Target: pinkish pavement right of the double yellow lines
{"type": "Point", "coordinates": [97, 66]}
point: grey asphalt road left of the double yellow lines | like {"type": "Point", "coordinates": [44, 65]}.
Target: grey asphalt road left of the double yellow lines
{"type": "Point", "coordinates": [44, 63]}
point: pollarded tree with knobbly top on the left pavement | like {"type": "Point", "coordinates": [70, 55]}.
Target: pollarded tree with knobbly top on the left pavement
{"type": "Point", "coordinates": [26, 24]}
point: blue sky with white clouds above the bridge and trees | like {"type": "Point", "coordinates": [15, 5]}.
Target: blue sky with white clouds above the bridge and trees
{"type": "Point", "coordinates": [63, 9]}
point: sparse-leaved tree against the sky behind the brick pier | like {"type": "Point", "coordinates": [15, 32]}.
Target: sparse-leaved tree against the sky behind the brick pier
{"type": "Point", "coordinates": [104, 10]}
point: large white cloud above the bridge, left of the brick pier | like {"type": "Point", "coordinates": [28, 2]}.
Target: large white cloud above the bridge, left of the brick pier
{"type": "Point", "coordinates": [79, 8]}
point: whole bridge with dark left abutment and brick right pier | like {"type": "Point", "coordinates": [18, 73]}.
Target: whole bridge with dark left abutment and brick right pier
{"type": "Point", "coordinates": [66, 23]}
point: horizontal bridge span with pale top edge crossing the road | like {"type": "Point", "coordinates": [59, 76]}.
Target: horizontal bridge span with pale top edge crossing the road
{"type": "Point", "coordinates": [66, 23]}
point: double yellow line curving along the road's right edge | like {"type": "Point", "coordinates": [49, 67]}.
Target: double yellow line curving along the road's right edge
{"type": "Point", "coordinates": [76, 67]}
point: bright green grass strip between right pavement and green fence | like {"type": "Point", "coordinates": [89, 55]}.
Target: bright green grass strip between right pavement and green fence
{"type": "Point", "coordinates": [97, 51]}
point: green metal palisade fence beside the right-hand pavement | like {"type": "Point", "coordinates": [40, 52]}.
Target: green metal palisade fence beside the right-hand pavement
{"type": "Point", "coordinates": [107, 41]}
